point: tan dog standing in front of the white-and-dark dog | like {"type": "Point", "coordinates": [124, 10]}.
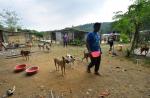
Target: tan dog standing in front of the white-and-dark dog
{"type": "Point", "coordinates": [61, 64]}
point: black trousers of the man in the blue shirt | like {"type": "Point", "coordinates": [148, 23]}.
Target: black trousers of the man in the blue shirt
{"type": "Point", "coordinates": [95, 62]}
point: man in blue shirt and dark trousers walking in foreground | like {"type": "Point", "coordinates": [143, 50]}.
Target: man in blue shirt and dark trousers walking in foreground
{"type": "Point", "coordinates": [93, 44]}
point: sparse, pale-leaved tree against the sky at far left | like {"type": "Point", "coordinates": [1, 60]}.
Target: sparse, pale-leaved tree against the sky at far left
{"type": "Point", "coordinates": [10, 19]}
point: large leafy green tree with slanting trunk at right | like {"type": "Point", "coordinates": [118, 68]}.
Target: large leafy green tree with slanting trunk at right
{"type": "Point", "coordinates": [136, 16]}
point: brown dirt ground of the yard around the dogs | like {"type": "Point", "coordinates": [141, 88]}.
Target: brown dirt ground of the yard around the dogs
{"type": "Point", "coordinates": [122, 78]}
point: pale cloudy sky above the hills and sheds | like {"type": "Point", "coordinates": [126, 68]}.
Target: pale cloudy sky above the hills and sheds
{"type": "Point", "coordinates": [44, 15]}
